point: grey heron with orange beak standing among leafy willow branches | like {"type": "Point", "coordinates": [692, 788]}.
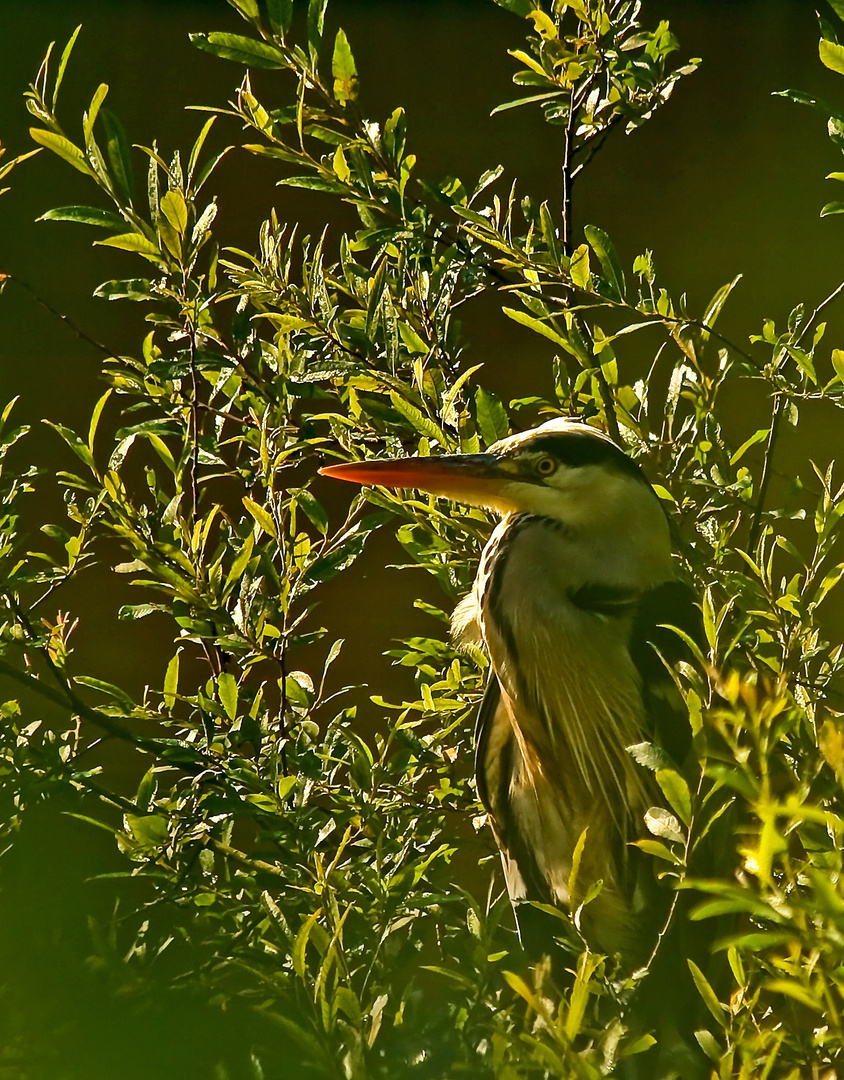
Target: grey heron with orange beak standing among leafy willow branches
{"type": "Point", "coordinates": [574, 588]}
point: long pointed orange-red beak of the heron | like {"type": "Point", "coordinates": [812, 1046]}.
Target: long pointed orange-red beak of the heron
{"type": "Point", "coordinates": [476, 479]}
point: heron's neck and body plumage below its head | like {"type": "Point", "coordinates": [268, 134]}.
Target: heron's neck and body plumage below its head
{"type": "Point", "coordinates": [555, 609]}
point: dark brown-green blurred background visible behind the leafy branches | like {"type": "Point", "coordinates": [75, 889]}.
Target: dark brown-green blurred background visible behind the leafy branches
{"type": "Point", "coordinates": [726, 180]}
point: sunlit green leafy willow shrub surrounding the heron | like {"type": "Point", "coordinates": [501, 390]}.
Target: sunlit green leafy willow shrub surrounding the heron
{"type": "Point", "coordinates": [303, 881]}
